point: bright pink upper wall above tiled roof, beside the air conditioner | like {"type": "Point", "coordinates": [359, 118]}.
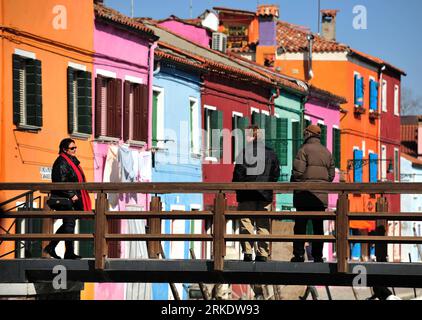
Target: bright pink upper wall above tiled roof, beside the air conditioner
{"type": "Point", "coordinates": [196, 34]}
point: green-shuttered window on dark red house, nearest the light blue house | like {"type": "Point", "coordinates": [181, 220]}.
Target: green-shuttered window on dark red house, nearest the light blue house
{"type": "Point", "coordinates": [213, 120]}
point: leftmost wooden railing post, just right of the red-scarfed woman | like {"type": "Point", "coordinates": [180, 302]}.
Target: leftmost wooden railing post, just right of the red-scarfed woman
{"type": "Point", "coordinates": [100, 243]}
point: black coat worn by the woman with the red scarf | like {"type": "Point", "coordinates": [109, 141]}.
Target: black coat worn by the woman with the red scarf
{"type": "Point", "coordinates": [63, 172]}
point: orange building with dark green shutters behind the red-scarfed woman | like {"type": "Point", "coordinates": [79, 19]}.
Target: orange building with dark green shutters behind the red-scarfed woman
{"type": "Point", "coordinates": [46, 63]}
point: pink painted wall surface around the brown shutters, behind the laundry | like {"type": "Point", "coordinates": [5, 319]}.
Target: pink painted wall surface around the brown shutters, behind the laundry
{"type": "Point", "coordinates": [128, 56]}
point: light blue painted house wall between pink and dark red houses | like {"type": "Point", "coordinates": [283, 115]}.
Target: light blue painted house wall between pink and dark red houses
{"type": "Point", "coordinates": [175, 161]}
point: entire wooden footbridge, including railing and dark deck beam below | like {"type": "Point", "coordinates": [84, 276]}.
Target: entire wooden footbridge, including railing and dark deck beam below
{"type": "Point", "coordinates": [218, 269]}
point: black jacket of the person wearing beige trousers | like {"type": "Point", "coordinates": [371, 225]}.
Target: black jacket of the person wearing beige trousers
{"type": "Point", "coordinates": [248, 169]}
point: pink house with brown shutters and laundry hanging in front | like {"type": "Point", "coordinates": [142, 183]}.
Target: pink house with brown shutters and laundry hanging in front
{"type": "Point", "coordinates": [123, 70]}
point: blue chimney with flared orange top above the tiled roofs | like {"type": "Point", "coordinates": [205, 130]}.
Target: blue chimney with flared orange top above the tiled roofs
{"type": "Point", "coordinates": [267, 17]}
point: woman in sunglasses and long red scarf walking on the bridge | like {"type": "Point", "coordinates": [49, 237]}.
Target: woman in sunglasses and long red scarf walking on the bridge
{"type": "Point", "coordinates": [66, 168]}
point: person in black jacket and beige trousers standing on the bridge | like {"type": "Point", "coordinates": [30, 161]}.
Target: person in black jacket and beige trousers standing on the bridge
{"type": "Point", "coordinates": [255, 163]}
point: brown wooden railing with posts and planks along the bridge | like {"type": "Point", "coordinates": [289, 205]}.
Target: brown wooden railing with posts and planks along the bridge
{"type": "Point", "coordinates": [218, 215]}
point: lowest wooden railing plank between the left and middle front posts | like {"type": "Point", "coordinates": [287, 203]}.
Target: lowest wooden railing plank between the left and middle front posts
{"type": "Point", "coordinates": [159, 237]}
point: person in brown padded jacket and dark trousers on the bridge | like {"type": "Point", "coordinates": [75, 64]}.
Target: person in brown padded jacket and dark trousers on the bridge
{"type": "Point", "coordinates": [313, 163]}
